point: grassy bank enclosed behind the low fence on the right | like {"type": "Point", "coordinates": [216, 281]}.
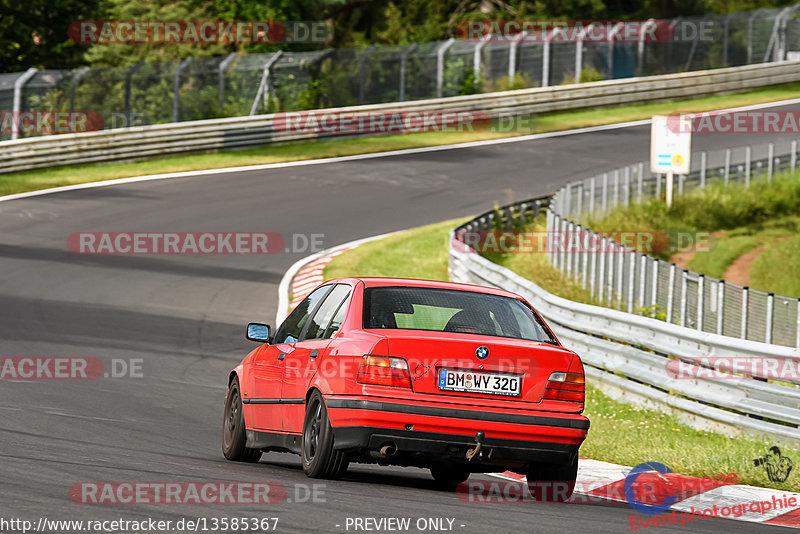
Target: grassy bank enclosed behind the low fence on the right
{"type": "Point", "coordinates": [741, 218]}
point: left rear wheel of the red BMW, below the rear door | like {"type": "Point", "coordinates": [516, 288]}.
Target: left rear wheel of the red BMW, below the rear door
{"type": "Point", "coordinates": [319, 458]}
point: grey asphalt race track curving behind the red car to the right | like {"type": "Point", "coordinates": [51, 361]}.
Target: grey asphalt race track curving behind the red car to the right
{"type": "Point", "coordinates": [184, 316]}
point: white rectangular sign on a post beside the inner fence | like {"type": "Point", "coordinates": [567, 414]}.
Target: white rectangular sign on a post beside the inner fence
{"type": "Point", "coordinates": [670, 147]}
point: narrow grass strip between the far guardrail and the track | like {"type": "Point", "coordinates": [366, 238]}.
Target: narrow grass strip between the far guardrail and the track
{"type": "Point", "coordinates": [60, 176]}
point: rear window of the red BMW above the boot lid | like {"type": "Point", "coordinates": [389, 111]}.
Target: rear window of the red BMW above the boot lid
{"type": "Point", "coordinates": [448, 310]}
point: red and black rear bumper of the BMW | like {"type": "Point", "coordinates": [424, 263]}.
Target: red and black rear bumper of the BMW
{"type": "Point", "coordinates": [446, 431]}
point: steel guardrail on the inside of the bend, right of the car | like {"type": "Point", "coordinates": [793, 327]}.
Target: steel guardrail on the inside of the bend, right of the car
{"type": "Point", "coordinates": [626, 355]}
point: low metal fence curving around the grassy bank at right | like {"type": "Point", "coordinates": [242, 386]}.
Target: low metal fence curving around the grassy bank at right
{"type": "Point", "coordinates": [619, 276]}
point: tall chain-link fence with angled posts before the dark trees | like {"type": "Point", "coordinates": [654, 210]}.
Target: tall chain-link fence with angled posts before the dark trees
{"type": "Point", "coordinates": [236, 85]}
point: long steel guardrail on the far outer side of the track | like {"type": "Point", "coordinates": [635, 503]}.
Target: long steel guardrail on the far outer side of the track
{"type": "Point", "coordinates": [136, 143]}
